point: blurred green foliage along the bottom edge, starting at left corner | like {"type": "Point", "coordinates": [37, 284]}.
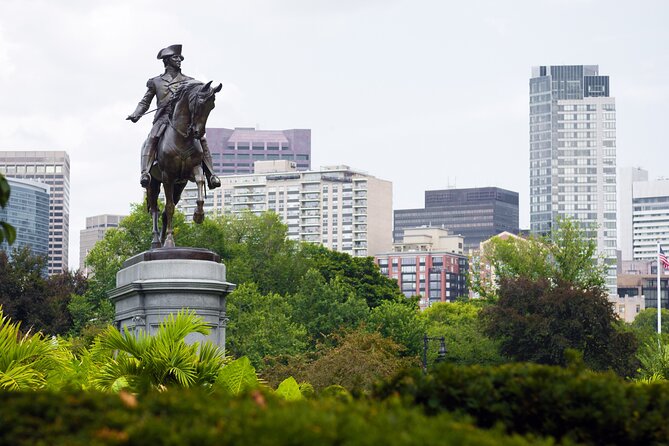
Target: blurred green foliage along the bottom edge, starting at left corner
{"type": "Point", "coordinates": [190, 417]}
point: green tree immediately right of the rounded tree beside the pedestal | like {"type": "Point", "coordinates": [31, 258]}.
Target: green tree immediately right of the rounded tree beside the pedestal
{"type": "Point", "coordinates": [325, 307]}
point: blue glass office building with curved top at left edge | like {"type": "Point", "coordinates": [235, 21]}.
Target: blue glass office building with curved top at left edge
{"type": "Point", "coordinates": [28, 212]}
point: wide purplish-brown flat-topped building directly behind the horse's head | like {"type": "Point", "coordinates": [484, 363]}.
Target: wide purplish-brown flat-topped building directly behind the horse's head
{"type": "Point", "coordinates": [234, 151]}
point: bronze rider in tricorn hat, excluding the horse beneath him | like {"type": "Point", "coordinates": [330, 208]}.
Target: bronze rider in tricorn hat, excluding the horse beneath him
{"type": "Point", "coordinates": [164, 88]}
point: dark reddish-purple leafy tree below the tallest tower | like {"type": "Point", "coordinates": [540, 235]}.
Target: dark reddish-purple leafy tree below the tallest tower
{"type": "Point", "coordinates": [536, 322]}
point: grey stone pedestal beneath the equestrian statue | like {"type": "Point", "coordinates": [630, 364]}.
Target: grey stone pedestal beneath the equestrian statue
{"type": "Point", "coordinates": [158, 282]}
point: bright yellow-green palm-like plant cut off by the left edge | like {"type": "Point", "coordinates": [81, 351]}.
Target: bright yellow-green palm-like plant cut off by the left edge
{"type": "Point", "coordinates": [27, 361]}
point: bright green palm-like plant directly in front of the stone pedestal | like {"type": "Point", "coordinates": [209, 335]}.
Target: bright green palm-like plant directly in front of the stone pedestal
{"type": "Point", "coordinates": [143, 362]}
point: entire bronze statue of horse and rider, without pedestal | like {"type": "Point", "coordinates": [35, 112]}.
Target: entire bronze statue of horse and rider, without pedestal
{"type": "Point", "coordinates": [175, 151]}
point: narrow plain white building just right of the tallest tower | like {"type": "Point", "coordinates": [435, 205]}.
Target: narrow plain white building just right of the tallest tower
{"type": "Point", "coordinates": [627, 176]}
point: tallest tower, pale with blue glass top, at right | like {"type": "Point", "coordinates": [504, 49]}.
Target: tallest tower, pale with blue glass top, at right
{"type": "Point", "coordinates": [573, 154]}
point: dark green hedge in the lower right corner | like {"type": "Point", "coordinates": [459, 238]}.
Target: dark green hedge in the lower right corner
{"type": "Point", "coordinates": [568, 404]}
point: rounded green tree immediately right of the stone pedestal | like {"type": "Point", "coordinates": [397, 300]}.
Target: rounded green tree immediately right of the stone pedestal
{"type": "Point", "coordinates": [260, 325]}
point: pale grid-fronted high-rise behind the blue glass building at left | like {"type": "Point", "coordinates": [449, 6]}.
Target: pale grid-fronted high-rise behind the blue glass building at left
{"type": "Point", "coordinates": [52, 168]}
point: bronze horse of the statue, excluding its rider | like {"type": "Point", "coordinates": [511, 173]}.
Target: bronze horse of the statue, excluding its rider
{"type": "Point", "coordinates": [179, 157]}
